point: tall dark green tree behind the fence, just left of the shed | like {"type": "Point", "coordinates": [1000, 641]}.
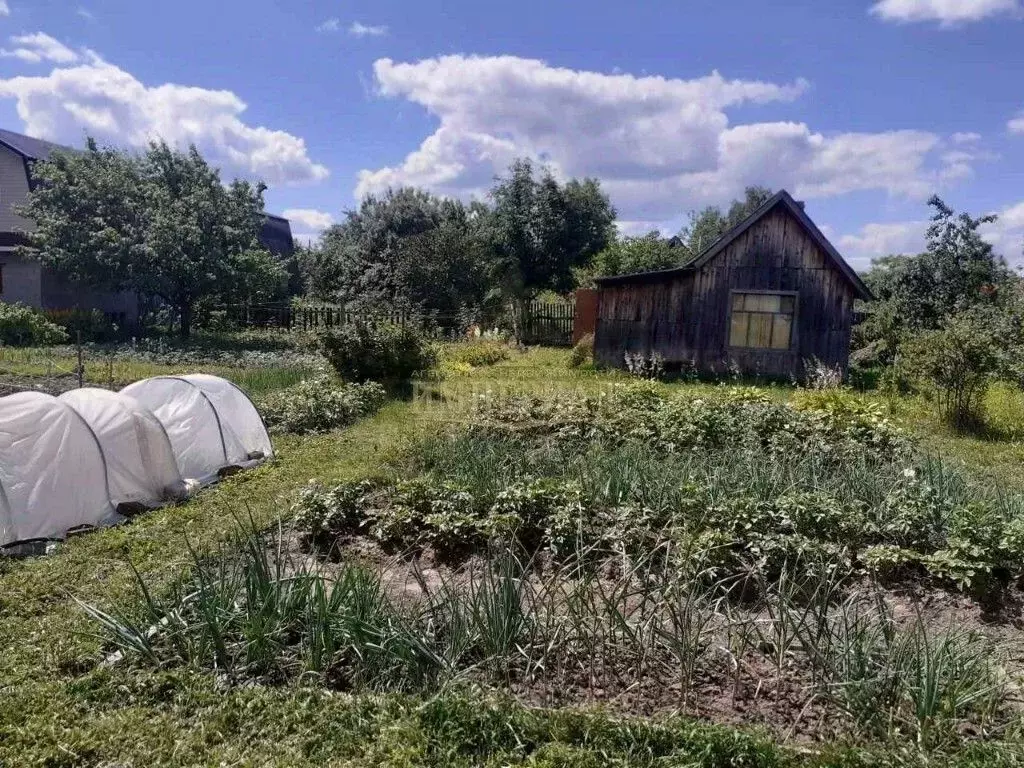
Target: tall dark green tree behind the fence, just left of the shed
{"type": "Point", "coordinates": [542, 231]}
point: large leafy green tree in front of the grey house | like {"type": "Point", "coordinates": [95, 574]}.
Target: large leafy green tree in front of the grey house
{"type": "Point", "coordinates": [162, 225]}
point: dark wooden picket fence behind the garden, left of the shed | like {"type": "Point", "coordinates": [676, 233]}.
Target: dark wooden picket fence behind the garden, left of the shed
{"type": "Point", "coordinates": [540, 322]}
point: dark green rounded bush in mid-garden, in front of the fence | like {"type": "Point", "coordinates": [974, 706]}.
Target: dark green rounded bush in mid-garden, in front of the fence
{"type": "Point", "coordinates": [370, 352]}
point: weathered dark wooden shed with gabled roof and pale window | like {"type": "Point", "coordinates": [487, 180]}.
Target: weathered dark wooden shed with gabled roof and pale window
{"type": "Point", "coordinates": [767, 297]}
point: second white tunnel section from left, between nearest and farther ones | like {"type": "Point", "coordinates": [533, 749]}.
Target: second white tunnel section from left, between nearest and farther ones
{"type": "Point", "coordinates": [141, 464]}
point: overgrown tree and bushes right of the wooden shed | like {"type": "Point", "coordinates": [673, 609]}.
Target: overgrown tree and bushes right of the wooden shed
{"type": "Point", "coordinates": [949, 321]}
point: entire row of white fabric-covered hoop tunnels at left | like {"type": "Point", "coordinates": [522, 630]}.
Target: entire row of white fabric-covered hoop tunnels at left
{"type": "Point", "coordinates": [93, 457]}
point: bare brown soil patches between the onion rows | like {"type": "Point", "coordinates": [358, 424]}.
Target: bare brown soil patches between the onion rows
{"type": "Point", "coordinates": [750, 692]}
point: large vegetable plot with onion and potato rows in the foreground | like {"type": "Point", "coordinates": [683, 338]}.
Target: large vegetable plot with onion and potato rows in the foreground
{"type": "Point", "coordinates": [802, 568]}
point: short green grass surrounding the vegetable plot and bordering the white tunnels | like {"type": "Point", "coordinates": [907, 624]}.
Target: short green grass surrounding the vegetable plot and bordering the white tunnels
{"type": "Point", "coordinates": [59, 708]}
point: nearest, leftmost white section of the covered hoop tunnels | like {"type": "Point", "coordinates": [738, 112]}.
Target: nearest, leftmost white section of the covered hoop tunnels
{"type": "Point", "coordinates": [53, 477]}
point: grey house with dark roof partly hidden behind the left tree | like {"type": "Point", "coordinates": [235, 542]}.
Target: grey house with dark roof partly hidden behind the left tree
{"type": "Point", "coordinates": [28, 282]}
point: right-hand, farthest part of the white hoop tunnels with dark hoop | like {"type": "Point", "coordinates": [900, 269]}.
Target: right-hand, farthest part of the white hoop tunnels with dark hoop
{"type": "Point", "coordinates": [211, 423]}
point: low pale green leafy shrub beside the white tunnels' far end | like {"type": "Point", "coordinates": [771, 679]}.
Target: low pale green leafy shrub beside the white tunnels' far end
{"type": "Point", "coordinates": [321, 404]}
